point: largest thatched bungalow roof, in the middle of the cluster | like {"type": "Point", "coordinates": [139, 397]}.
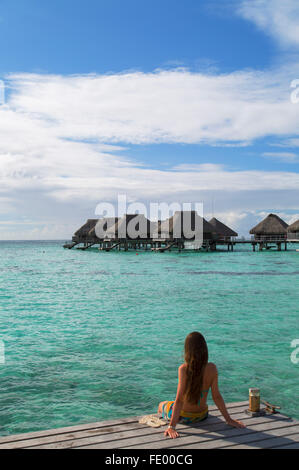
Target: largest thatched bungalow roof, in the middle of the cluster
{"type": "Point", "coordinates": [183, 224]}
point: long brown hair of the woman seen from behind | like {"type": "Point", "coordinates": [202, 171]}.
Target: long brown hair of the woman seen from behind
{"type": "Point", "coordinates": [196, 358]}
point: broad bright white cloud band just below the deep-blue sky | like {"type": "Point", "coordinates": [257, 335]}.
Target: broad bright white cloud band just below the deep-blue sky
{"type": "Point", "coordinates": [165, 106]}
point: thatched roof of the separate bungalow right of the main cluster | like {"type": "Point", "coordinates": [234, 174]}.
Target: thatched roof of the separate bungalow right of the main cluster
{"type": "Point", "coordinates": [271, 228]}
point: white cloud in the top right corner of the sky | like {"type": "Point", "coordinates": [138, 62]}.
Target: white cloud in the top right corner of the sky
{"type": "Point", "coordinates": [278, 18]}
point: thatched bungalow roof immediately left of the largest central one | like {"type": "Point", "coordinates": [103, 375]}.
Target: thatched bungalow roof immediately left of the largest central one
{"type": "Point", "coordinates": [131, 227]}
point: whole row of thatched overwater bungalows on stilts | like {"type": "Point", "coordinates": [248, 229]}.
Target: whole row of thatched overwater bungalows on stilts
{"type": "Point", "coordinates": [178, 231]}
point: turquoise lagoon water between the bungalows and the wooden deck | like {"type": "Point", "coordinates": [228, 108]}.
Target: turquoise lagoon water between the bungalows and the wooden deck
{"type": "Point", "coordinates": [92, 335]}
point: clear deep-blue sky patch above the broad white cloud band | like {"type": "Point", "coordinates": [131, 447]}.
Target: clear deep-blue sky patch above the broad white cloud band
{"type": "Point", "coordinates": [71, 36]}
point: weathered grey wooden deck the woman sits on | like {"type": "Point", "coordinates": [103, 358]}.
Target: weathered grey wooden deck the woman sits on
{"type": "Point", "coordinates": [269, 431]}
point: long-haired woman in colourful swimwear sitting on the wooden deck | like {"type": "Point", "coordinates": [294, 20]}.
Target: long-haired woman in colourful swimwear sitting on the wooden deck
{"type": "Point", "coordinates": [196, 377]}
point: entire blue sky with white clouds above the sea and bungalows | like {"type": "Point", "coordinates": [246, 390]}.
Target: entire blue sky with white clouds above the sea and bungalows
{"type": "Point", "coordinates": [162, 100]}
